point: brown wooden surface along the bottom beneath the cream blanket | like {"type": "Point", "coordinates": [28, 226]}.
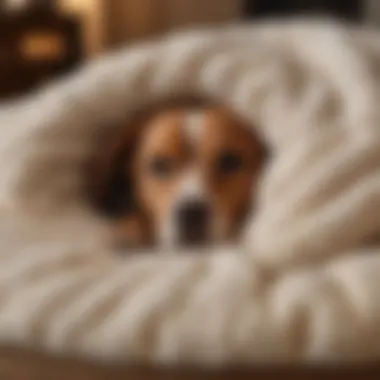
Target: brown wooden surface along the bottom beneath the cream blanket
{"type": "Point", "coordinates": [26, 365]}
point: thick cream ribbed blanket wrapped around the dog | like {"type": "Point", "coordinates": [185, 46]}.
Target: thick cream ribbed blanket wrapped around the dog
{"type": "Point", "coordinates": [302, 287]}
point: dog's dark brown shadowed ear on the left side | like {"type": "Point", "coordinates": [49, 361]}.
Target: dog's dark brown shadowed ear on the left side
{"type": "Point", "coordinates": [111, 185]}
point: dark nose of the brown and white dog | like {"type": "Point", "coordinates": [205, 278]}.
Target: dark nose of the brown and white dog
{"type": "Point", "coordinates": [193, 217]}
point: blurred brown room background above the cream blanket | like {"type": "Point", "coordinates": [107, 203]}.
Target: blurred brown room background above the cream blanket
{"type": "Point", "coordinates": [43, 39]}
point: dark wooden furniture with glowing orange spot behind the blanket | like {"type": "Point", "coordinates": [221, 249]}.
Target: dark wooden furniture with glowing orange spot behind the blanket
{"type": "Point", "coordinates": [36, 46]}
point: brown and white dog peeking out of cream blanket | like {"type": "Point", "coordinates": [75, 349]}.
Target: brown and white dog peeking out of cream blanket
{"type": "Point", "coordinates": [183, 176]}
